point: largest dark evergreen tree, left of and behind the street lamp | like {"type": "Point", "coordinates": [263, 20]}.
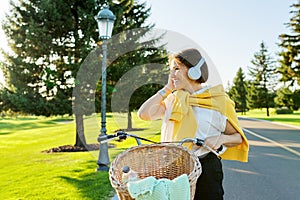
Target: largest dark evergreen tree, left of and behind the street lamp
{"type": "Point", "coordinates": [50, 40]}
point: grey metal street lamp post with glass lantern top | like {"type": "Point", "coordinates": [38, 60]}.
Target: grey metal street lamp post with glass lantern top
{"type": "Point", "coordinates": [105, 19]}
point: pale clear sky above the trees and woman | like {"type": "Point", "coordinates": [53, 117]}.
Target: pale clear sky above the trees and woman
{"type": "Point", "coordinates": [230, 31]}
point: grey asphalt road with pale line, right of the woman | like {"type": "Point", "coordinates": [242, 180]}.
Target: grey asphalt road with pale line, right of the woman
{"type": "Point", "coordinates": [273, 170]}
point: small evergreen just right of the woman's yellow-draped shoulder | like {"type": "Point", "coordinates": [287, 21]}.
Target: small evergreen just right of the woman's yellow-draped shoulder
{"type": "Point", "coordinates": [238, 92]}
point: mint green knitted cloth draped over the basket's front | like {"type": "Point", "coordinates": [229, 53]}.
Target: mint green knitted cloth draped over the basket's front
{"type": "Point", "coordinates": [151, 188]}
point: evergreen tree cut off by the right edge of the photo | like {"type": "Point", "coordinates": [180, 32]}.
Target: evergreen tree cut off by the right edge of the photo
{"type": "Point", "coordinates": [290, 45]}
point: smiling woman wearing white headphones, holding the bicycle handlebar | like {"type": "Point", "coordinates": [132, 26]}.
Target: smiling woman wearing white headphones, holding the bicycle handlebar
{"type": "Point", "coordinates": [190, 109]}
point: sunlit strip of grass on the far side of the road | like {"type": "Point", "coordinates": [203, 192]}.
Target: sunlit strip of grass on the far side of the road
{"type": "Point", "coordinates": [292, 119]}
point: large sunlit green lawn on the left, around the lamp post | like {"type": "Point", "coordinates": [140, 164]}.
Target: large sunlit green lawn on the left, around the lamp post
{"type": "Point", "coordinates": [28, 173]}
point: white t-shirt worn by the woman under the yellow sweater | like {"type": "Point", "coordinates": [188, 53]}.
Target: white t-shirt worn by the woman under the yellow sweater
{"type": "Point", "coordinates": [210, 122]}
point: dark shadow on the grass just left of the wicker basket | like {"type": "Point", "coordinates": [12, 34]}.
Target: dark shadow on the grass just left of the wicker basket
{"type": "Point", "coordinates": [94, 185]}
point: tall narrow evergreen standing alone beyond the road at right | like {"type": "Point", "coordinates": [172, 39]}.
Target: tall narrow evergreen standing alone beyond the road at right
{"type": "Point", "coordinates": [263, 79]}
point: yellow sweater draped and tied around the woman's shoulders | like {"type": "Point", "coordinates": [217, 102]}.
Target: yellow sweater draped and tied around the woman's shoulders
{"type": "Point", "coordinates": [215, 98]}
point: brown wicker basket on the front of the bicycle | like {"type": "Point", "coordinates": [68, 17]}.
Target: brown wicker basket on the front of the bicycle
{"type": "Point", "coordinates": [158, 160]}
